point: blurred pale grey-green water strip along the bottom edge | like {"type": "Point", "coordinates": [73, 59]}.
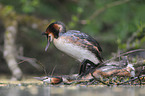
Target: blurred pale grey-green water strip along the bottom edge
{"type": "Point", "coordinates": [72, 91]}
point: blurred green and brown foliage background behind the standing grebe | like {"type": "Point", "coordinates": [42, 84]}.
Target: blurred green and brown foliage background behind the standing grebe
{"type": "Point", "coordinates": [118, 25]}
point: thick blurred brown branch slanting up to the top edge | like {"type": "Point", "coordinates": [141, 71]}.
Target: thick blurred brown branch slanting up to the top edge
{"type": "Point", "coordinates": [99, 11]}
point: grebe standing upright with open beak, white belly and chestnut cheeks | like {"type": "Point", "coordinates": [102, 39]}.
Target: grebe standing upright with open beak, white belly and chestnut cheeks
{"type": "Point", "coordinates": [76, 44]}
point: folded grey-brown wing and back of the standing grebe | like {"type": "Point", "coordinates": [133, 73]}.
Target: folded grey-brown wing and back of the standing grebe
{"type": "Point", "coordinates": [86, 41]}
